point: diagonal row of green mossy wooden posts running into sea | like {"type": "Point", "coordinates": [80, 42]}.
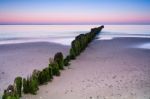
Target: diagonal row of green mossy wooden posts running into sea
{"type": "Point", "coordinates": [39, 77]}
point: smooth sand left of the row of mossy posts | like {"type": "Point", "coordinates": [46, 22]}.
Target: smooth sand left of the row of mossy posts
{"type": "Point", "coordinates": [22, 59]}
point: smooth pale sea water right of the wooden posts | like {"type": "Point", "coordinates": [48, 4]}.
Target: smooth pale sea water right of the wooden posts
{"type": "Point", "coordinates": [113, 31]}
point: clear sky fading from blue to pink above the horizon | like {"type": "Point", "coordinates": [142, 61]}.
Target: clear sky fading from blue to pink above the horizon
{"type": "Point", "coordinates": [74, 11]}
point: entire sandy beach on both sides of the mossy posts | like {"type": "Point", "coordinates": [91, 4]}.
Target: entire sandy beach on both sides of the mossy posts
{"type": "Point", "coordinates": [107, 69]}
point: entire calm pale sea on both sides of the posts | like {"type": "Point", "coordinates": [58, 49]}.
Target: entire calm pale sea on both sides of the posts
{"type": "Point", "coordinates": [64, 34]}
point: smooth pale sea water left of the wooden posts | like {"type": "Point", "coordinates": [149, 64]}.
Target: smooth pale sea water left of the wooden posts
{"type": "Point", "coordinates": [62, 34]}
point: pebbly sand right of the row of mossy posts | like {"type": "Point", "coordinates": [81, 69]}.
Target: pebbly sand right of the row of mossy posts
{"type": "Point", "coordinates": [107, 69]}
